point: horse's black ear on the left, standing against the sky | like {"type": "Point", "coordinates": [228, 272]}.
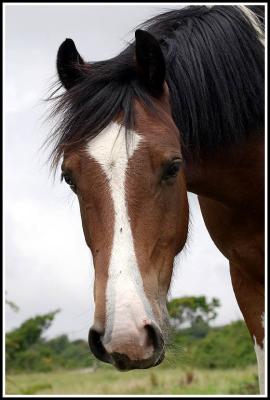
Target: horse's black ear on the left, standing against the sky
{"type": "Point", "coordinates": [68, 61]}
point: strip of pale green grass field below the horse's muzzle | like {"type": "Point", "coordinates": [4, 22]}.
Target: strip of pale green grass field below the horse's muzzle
{"type": "Point", "coordinates": [160, 380]}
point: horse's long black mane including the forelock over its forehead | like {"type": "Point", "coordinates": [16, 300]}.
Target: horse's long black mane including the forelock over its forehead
{"type": "Point", "coordinates": [215, 73]}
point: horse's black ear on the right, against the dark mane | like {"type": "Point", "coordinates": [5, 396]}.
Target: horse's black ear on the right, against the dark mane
{"type": "Point", "coordinates": [150, 61]}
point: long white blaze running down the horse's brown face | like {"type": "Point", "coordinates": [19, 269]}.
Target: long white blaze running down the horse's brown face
{"type": "Point", "coordinates": [126, 304]}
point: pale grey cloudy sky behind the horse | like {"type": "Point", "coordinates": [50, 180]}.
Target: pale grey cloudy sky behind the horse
{"type": "Point", "coordinates": [47, 263]}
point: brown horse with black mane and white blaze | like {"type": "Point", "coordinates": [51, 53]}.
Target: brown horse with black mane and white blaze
{"type": "Point", "coordinates": [180, 109]}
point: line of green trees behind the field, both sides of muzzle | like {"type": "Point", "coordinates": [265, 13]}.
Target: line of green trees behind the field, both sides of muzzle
{"type": "Point", "coordinates": [190, 317]}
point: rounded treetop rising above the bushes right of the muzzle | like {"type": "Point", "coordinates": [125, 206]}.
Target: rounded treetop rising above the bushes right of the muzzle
{"type": "Point", "coordinates": [192, 311]}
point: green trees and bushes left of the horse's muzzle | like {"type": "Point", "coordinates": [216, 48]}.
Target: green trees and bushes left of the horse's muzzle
{"type": "Point", "coordinates": [28, 350]}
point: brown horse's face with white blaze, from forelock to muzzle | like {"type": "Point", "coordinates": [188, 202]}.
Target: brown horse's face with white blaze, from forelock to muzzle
{"type": "Point", "coordinates": [134, 209]}
